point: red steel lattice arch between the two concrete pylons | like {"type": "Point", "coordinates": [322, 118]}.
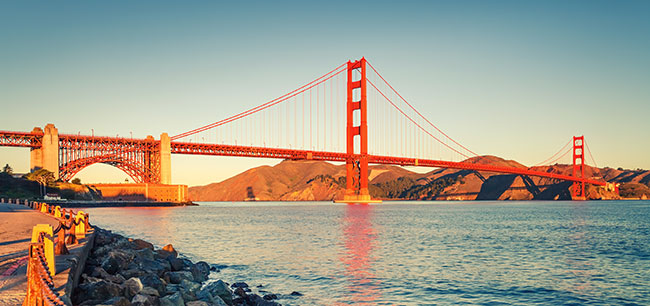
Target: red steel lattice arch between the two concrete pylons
{"type": "Point", "coordinates": [132, 168]}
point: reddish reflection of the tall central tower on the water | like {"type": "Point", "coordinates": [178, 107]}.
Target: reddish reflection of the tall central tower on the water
{"type": "Point", "coordinates": [357, 256]}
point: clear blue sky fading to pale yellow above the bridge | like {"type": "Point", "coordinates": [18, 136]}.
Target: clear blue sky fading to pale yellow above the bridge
{"type": "Point", "coordinates": [514, 79]}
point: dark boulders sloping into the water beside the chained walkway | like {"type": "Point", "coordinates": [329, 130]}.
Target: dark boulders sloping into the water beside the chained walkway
{"type": "Point", "coordinates": [123, 271]}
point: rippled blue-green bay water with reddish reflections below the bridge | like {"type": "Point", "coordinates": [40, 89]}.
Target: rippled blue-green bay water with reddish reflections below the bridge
{"type": "Point", "coordinates": [413, 253]}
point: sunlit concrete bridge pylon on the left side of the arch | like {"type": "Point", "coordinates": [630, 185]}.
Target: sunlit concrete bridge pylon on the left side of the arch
{"type": "Point", "coordinates": [47, 156]}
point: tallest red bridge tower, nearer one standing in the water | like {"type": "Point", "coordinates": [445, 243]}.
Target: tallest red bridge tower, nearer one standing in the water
{"type": "Point", "coordinates": [357, 160]}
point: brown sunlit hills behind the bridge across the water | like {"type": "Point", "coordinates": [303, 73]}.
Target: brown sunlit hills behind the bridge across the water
{"type": "Point", "coordinates": [322, 181]}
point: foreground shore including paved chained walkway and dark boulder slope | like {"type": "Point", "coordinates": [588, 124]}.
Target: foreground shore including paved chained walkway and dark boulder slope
{"type": "Point", "coordinates": [98, 267]}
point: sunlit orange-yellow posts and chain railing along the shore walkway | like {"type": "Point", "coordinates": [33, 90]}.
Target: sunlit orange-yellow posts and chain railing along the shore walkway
{"type": "Point", "coordinates": [43, 248]}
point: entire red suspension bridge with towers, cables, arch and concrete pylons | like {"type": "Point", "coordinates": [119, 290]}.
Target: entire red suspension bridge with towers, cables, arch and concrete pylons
{"type": "Point", "coordinates": [350, 114]}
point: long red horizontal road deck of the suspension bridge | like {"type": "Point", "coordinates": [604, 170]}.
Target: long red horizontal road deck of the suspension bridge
{"type": "Point", "coordinates": [27, 139]}
